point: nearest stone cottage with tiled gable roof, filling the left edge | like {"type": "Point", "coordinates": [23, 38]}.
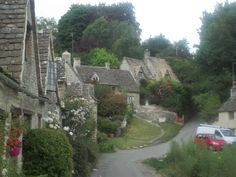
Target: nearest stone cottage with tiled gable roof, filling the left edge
{"type": "Point", "coordinates": [23, 98]}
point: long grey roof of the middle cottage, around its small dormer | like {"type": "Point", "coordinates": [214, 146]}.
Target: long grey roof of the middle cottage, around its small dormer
{"type": "Point", "coordinates": [111, 77]}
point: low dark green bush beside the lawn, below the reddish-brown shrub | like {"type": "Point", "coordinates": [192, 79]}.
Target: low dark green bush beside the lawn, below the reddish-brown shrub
{"type": "Point", "coordinates": [107, 126]}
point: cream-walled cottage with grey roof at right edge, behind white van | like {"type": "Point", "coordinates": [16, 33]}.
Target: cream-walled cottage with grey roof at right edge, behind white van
{"type": "Point", "coordinates": [227, 112]}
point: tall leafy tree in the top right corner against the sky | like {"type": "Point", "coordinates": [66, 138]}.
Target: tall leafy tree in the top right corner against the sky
{"type": "Point", "coordinates": [218, 39]}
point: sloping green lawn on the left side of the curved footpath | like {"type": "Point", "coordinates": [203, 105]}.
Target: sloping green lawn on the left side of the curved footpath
{"type": "Point", "coordinates": [138, 134]}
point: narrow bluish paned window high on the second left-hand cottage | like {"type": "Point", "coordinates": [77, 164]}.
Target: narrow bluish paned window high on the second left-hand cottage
{"type": "Point", "coordinates": [52, 76]}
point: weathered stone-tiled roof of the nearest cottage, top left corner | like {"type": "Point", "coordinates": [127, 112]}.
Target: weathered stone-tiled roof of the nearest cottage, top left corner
{"type": "Point", "coordinates": [12, 30]}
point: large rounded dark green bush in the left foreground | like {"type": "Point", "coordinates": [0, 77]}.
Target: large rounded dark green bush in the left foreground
{"type": "Point", "coordinates": [47, 152]}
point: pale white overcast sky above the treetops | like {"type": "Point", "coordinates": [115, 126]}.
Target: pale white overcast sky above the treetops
{"type": "Point", "coordinates": [176, 19]}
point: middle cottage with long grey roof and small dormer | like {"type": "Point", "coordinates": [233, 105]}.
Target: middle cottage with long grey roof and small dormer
{"type": "Point", "coordinates": [118, 80]}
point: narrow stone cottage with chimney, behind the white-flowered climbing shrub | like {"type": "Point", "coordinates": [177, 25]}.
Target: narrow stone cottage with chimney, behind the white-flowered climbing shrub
{"type": "Point", "coordinates": [70, 85]}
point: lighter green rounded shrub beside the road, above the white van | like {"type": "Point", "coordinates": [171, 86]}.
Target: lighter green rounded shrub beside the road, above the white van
{"type": "Point", "coordinates": [208, 103]}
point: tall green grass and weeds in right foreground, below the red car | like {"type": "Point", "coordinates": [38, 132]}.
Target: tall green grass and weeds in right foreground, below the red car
{"type": "Point", "coordinates": [192, 160]}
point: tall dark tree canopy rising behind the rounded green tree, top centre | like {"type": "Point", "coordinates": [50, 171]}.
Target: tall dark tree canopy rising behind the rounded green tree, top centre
{"type": "Point", "coordinates": [79, 17]}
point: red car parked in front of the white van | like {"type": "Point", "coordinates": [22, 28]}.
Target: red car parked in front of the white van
{"type": "Point", "coordinates": [210, 141]}
